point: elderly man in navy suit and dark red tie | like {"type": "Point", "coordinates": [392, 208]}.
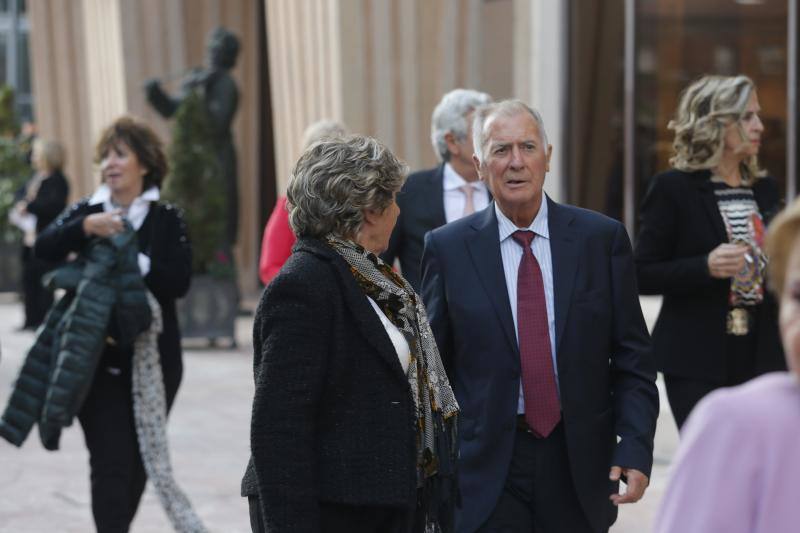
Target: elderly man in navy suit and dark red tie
{"type": "Point", "coordinates": [535, 310]}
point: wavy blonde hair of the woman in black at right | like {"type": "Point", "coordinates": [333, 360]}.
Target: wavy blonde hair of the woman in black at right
{"type": "Point", "coordinates": [707, 107]}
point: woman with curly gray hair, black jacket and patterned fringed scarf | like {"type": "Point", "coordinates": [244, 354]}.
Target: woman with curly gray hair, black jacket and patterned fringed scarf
{"type": "Point", "coordinates": [353, 423]}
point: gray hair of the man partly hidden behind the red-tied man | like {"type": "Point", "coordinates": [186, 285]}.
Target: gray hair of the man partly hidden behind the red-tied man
{"type": "Point", "coordinates": [450, 116]}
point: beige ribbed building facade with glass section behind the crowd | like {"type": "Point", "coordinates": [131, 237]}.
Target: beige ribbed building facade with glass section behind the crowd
{"type": "Point", "coordinates": [606, 75]}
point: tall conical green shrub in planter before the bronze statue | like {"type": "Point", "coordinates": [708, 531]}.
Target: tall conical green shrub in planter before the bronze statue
{"type": "Point", "coordinates": [195, 183]}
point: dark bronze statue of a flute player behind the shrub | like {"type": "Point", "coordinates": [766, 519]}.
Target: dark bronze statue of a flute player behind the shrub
{"type": "Point", "coordinates": [222, 98]}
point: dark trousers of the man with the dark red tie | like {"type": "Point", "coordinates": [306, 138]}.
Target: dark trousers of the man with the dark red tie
{"type": "Point", "coordinates": [538, 496]}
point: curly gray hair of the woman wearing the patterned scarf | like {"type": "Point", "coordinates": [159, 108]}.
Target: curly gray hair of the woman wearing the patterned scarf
{"type": "Point", "coordinates": [336, 180]}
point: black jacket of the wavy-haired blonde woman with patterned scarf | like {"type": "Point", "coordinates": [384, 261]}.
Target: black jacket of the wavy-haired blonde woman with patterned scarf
{"type": "Point", "coordinates": [681, 224]}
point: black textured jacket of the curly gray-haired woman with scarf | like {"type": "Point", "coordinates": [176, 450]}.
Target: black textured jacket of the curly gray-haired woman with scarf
{"type": "Point", "coordinates": [333, 417]}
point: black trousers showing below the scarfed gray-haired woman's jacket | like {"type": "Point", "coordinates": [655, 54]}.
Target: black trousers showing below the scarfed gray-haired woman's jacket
{"type": "Point", "coordinates": [339, 518]}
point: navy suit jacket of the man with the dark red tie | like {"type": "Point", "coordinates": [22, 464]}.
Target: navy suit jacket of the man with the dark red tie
{"type": "Point", "coordinates": [605, 368]}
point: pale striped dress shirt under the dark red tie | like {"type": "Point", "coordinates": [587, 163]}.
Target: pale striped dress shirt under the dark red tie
{"type": "Point", "coordinates": [511, 254]}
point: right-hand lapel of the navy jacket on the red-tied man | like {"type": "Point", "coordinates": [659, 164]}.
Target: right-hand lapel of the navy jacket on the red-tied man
{"type": "Point", "coordinates": [565, 256]}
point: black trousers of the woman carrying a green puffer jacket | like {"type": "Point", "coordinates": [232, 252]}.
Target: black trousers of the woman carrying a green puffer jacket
{"type": "Point", "coordinates": [117, 473]}
